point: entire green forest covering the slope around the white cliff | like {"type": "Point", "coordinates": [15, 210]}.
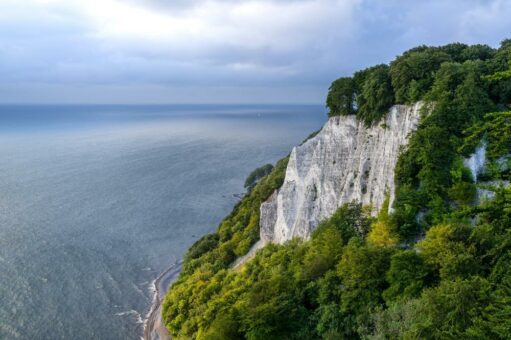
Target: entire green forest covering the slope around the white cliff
{"type": "Point", "coordinates": [437, 267]}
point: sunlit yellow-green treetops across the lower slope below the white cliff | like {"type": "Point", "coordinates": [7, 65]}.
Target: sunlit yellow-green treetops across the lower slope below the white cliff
{"type": "Point", "coordinates": [456, 283]}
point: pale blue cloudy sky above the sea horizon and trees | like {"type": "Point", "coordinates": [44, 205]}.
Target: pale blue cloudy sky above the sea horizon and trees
{"type": "Point", "coordinates": [218, 51]}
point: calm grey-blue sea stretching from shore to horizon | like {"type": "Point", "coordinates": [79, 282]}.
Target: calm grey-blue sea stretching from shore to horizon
{"type": "Point", "coordinates": [96, 201]}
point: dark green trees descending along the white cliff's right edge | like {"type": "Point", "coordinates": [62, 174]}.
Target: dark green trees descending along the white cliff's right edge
{"type": "Point", "coordinates": [425, 170]}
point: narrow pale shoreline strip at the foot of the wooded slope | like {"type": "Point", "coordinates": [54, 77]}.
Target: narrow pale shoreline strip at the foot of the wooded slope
{"type": "Point", "coordinates": [154, 328]}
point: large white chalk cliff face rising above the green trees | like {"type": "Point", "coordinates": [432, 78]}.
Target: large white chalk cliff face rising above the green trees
{"type": "Point", "coordinates": [344, 162]}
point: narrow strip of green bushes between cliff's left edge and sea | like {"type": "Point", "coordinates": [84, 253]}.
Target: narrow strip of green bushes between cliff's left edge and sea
{"type": "Point", "coordinates": [212, 255]}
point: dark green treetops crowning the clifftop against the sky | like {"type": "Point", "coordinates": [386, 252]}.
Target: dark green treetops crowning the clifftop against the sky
{"type": "Point", "coordinates": [410, 77]}
